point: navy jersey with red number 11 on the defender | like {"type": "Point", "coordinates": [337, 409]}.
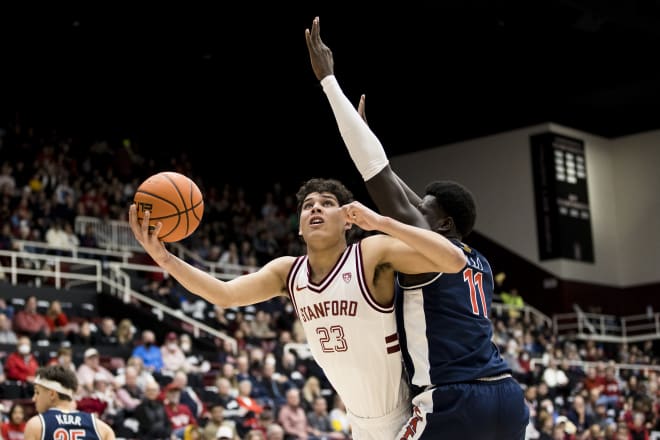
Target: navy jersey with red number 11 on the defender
{"type": "Point", "coordinates": [444, 326]}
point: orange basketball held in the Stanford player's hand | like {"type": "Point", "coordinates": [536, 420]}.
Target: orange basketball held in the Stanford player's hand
{"type": "Point", "coordinates": [172, 199]}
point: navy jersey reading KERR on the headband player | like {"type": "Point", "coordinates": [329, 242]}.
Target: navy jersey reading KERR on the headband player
{"type": "Point", "coordinates": [68, 425]}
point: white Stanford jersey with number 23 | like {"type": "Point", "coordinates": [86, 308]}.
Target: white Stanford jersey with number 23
{"type": "Point", "coordinates": [351, 337]}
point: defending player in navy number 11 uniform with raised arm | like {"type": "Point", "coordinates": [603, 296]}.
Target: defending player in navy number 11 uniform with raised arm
{"type": "Point", "coordinates": [462, 388]}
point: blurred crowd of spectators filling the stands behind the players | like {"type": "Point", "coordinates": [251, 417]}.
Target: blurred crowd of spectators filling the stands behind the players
{"type": "Point", "coordinates": [150, 385]}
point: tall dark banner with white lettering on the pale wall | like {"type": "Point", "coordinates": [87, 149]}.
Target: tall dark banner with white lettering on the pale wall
{"type": "Point", "coordinates": [563, 217]}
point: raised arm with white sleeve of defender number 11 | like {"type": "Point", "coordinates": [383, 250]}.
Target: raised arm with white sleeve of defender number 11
{"type": "Point", "coordinates": [391, 195]}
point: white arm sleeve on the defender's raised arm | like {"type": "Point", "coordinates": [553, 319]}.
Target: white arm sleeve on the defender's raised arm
{"type": "Point", "coordinates": [364, 147]}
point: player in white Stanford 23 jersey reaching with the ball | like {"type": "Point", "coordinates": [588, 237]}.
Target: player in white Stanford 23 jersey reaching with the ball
{"type": "Point", "coordinates": [343, 294]}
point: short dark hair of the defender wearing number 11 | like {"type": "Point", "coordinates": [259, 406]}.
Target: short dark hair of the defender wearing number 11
{"type": "Point", "coordinates": [457, 202]}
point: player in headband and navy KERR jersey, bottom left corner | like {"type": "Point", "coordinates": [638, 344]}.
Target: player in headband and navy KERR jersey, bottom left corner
{"type": "Point", "coordinates": [57, 419]}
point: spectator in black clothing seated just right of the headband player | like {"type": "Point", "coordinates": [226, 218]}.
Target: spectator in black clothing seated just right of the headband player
{"type": "Point", "coordinates": [154, 423]}
